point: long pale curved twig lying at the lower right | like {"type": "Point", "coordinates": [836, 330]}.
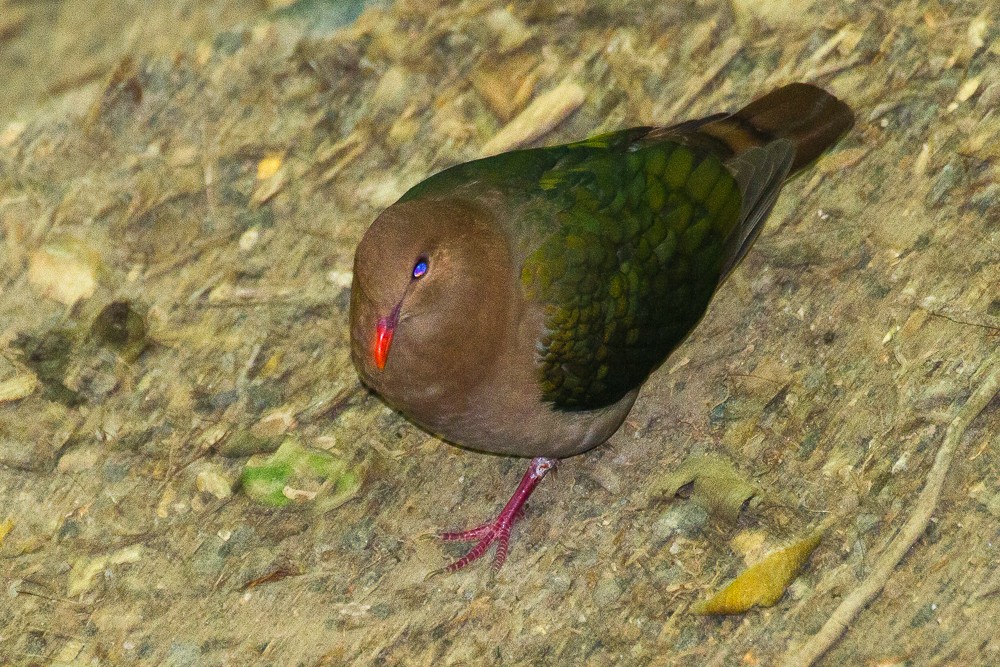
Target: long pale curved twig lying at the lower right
{"type": "Point", "coordinates": [860, 597]}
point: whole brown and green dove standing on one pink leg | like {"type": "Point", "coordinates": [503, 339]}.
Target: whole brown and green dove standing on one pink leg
{"type": "Point", "coordinates": [517, 303]}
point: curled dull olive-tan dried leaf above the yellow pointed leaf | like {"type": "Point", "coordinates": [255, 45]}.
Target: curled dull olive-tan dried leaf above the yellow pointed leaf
{"type": "Point", "coordinates": [715, 484]}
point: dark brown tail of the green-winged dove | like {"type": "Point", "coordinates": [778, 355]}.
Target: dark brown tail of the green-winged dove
{"type": "Point", "coordinates": [810, 117]}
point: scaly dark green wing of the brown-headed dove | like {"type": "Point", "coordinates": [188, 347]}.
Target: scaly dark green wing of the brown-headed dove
{"type": "Point", "coordinates": [639, 247]}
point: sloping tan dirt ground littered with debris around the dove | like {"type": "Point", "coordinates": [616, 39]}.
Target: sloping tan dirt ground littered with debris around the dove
{"type": "Point", "coordinates": [213, 185]}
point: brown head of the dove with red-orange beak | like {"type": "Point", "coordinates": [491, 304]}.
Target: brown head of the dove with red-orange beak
{"type": "Point", "coordinates": [430, 306]}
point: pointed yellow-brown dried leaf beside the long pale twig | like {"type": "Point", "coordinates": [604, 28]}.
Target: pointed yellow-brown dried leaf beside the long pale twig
{"type": "Point", "coordinates": [763, 583]}
